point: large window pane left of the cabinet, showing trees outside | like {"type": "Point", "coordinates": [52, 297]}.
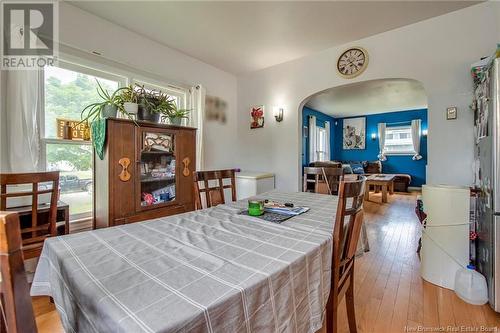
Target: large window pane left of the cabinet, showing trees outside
{"type": "Point", "coordinates": [67, 90]}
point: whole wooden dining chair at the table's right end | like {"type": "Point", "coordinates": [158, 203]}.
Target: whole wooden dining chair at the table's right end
{"type": "Point", "coordinates": [346, 232]}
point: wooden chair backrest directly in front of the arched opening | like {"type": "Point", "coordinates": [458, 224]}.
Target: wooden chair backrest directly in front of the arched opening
{"type": "Point", "coordinates": [324, 180]}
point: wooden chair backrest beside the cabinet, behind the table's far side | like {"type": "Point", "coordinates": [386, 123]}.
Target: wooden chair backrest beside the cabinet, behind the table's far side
{"type": "Point", "coordinates": [213, 194]}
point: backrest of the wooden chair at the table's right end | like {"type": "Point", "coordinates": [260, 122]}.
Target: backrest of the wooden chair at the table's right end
{"type": "Point", "coordinates": [348, 223]}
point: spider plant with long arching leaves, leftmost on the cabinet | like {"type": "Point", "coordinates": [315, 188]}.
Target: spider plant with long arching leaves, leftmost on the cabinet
{"type": "Point", "coordinates": [106, 108]}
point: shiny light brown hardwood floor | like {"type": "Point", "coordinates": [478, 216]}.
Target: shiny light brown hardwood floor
{"type": "Point", "coordinates": [390, 296]}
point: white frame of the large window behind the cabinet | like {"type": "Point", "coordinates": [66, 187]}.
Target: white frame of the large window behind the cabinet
{"type": "Point", "coordinates": [93, 68]}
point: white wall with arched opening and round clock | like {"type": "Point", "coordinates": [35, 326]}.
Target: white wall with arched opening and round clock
{"type": "Point", "coordinates": [438, 52]}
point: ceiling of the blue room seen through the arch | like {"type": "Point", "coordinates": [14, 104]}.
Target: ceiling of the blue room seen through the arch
{"type": "Point", "coordinates": [370, 97]}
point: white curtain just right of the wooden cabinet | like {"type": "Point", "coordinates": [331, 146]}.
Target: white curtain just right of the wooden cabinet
{"type": "Point", "coordinates": [196, 103]}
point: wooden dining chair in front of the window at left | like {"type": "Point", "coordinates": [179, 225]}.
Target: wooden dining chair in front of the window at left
{"type": "Point", "coordinates": [34, 234]}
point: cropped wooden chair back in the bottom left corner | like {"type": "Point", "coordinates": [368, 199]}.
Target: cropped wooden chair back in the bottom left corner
{"type": "Point", "coordinates": [16, 310]}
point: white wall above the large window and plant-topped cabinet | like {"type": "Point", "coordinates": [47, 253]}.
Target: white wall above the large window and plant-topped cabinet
{"type": "Point", "coordinates": [86, 32]}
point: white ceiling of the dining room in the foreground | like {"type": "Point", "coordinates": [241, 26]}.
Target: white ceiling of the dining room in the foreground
{"type": "Point", "coordinates": [240, 36]}
